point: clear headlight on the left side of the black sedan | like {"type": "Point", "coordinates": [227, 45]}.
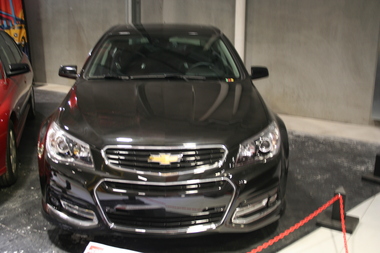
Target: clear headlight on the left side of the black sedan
{"type": "Point", "coordinates": [64, 148]}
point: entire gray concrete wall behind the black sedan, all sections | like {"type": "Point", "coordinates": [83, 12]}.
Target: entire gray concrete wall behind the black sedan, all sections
{"type": "Point", "coordinates": [321, 54]}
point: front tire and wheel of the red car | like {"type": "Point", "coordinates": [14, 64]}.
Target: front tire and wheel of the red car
{"type": "Point", "coordinates": [11, 174]}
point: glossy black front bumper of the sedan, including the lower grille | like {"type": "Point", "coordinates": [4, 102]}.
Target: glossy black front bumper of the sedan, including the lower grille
{"type": "Point", "coordinates": [92, 201]}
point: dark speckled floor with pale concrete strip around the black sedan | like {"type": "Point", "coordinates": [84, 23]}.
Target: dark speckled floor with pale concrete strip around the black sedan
{"type": "Point", "coordinates": [321, 160]}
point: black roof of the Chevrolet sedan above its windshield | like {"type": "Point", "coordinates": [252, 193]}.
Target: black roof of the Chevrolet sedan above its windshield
{"type": "Point", "coordinates": [164, 29]}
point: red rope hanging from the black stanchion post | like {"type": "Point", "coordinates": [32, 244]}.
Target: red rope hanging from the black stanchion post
{"type": "Point", "coordinates": [304, 221]}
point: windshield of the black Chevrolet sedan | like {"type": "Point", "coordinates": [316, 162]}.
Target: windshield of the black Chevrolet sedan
{"type": "Point", "coordinates": [186, 57]}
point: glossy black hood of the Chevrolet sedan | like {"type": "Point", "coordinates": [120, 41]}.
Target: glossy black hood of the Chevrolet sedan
{"type": "Point", "coordinates": [162, 112]}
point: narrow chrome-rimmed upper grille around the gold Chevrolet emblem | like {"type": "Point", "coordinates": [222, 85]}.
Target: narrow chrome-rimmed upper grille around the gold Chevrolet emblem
{"type": "Point", "coordinates": [138, 157]}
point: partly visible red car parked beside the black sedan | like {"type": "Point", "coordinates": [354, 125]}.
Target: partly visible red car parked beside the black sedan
{"type": "Point", "coordinates": [16, 103]}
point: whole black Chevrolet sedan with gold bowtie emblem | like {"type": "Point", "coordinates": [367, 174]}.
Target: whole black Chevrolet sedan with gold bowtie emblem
{"type": "Point", "coordinates": [163, 133]}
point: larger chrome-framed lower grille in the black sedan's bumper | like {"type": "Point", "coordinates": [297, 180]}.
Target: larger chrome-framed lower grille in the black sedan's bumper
{"type": "Point", "coordinates": [130, 206]}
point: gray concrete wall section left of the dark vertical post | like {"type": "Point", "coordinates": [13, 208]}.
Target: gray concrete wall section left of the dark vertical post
{"type": "Point", "coordinates": [64, 31]}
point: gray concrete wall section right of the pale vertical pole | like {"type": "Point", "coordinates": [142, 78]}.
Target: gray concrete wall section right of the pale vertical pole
{"type": "Point", "coordinates": [321, 55]}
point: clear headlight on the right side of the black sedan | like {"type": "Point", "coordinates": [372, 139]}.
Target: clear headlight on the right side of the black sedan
{"type": "Point", "coordinates": [260, 148]}
